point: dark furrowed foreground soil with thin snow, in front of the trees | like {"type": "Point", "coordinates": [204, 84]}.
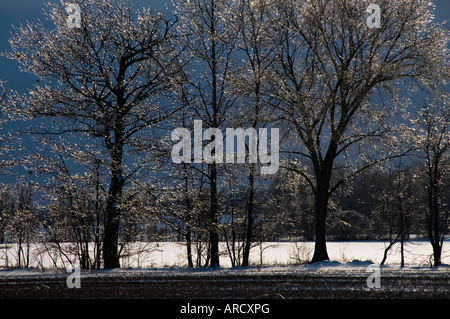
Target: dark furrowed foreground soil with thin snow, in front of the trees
{"type": "Point", "coordinates": [330, 280]}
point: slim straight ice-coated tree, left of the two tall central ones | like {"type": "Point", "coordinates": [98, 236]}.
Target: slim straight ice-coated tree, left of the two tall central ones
{"type": "Point", "coordinates": [210, 47]}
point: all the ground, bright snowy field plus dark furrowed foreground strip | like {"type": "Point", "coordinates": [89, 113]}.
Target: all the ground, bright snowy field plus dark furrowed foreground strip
{"type": "Point", "coordinates": [160, 273]}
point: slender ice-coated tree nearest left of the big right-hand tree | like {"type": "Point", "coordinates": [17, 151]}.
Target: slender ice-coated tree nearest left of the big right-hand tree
{"type": "Point", "coordinates": [249, 20]}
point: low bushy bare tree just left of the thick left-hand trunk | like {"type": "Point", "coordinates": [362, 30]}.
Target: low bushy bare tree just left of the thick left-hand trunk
{"type": "Point", "coordinates": [76, 200]}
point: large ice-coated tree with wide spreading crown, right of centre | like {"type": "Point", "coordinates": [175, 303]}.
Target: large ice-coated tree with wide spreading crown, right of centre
{"type": "Point", "coordinates": [339, 82]}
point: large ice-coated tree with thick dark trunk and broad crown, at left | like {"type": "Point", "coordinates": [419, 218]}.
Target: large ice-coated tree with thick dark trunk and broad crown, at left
{"type": "Point", "coordinates": [102, 76]}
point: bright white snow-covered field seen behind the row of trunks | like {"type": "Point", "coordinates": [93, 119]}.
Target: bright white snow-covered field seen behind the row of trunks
{"type": "Point", "coordinates": [169, 254]}
